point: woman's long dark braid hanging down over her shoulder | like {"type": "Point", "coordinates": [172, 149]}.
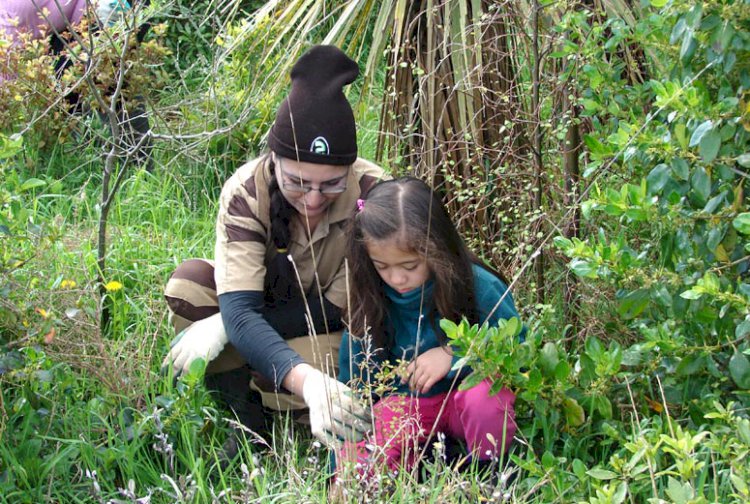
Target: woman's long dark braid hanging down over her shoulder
{"type": "Point", "coordinates": [281, 280]}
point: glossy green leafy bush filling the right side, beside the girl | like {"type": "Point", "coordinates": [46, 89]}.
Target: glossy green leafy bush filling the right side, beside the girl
{"type": "Point", "coordinates": [660, 409]}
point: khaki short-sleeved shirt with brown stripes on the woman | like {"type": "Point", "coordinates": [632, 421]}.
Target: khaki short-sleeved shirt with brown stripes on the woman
{"type": "Point", "coordinates": [243, 233]}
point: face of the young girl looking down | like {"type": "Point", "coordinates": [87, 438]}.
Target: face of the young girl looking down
{"type": "Point", "coordinates": [400, 270]}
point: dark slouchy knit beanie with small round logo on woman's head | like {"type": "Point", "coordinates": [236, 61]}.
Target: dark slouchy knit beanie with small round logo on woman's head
{"type": "Point", "coordinates": [322, 117]}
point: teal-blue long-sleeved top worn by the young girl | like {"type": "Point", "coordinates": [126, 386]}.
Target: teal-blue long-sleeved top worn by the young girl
{"type": "Point", "coordinates": [404, 317]}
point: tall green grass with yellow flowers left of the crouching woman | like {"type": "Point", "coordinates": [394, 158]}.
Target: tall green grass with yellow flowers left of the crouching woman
{"type": "Point", "coordinates": [87, 417]}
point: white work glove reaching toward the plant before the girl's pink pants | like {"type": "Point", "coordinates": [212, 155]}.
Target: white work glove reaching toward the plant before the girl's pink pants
{"type": "Point", "coordinates": [336, 414]}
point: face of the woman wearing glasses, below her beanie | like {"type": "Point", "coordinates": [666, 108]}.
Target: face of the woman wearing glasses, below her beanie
{"type": "Point", "coordinates": [310, 188]}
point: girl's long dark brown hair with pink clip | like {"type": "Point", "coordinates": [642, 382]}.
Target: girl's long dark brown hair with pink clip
{"type": "Point", "coordinates": [408, 210]}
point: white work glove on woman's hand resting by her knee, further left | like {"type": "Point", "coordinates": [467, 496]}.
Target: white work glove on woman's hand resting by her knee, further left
{"type": "Point", "coordinates": [203, 339]}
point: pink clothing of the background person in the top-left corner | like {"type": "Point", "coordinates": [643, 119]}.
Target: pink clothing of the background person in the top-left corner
{"type": "Point", "coordinates": [24, 16]}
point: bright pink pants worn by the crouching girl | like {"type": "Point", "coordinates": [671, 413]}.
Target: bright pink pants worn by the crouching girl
{"type": "Point", "coordinates": [403, 423]}
